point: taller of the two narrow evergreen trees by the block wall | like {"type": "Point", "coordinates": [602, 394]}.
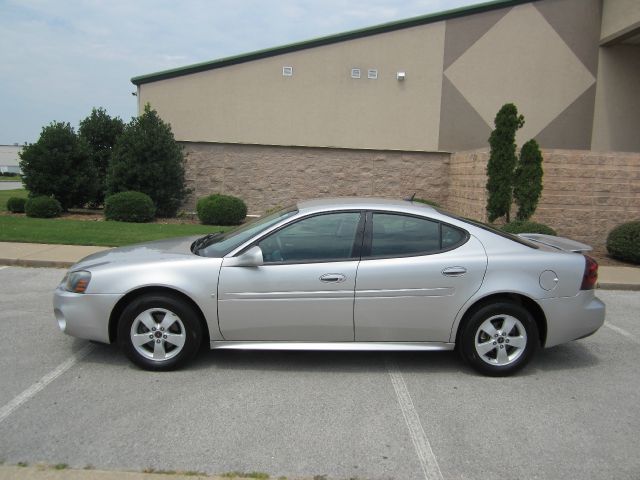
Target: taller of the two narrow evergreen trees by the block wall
{"type": "Point", "coordinates": [502, 162]}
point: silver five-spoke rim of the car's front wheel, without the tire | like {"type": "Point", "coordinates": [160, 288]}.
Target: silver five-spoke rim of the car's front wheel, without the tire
{"type": "Point", "coordinates": [158, 334]}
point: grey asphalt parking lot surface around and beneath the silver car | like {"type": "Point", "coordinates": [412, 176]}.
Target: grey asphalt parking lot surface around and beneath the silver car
{"type": "Point", "coordinates": [573, 413]}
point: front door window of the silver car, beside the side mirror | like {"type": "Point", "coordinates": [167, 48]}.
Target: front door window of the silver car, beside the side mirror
{"type": "Point", "coordinates": [321, 238]}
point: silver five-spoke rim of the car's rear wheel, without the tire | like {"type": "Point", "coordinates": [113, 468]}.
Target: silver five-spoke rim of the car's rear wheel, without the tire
{"type": "Point", "coordinates": [500, 340]}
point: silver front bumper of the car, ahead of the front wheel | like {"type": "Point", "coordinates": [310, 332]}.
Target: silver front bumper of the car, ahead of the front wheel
{"type": "Point", "coordinates": [84, 315]}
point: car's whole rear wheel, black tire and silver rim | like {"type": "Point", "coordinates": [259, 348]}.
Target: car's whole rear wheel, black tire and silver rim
{"type": "Point", "coordinates": [493, 361]}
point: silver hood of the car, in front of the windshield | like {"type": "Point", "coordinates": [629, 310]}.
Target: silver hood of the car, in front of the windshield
{"type": "Point", "coordinates": [159, 250]}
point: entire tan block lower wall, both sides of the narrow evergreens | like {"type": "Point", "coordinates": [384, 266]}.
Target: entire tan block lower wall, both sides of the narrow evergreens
{"type": "Point", "coordinates": [585, 193]}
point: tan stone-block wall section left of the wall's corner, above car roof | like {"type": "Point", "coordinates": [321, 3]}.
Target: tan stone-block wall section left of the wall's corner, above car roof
{"type": "Point", "coordinates": [267, 176]}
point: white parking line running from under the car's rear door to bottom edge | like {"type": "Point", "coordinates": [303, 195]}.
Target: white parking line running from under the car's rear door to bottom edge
{"type": "Point", "coordinates": [428, 461]}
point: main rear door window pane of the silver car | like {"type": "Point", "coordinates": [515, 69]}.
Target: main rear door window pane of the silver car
{"type": "Point", "coordinates": [399, 235]}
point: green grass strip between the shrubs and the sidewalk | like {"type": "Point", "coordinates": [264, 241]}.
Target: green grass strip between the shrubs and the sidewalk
{"type": "Point", "coordinates": [84, 232]}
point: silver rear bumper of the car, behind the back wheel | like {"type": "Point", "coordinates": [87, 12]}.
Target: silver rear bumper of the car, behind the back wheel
{"type": "Point", "coordinates": [571, 318]}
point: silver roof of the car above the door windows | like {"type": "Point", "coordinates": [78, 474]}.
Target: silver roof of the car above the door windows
{"type": "Point", "coordinates": [361, 203]}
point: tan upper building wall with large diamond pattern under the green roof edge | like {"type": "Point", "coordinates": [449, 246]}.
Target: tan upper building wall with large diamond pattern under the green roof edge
{"type": "Point", "coordinates": [541, 55]}
